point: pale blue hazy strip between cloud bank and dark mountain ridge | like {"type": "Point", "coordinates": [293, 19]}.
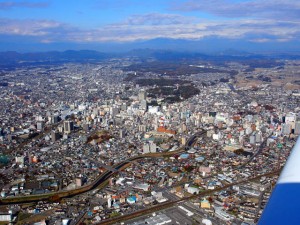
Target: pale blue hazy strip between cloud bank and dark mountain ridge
{"type": "Point", "coordinates": [207, 45]}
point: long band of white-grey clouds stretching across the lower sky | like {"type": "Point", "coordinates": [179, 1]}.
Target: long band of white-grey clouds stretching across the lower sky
{"type": "Point", "coordinates": [151, 26]}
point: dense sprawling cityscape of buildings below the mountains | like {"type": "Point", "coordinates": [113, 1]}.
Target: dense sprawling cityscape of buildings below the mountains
{"type": "Point", "coordinates": [115, 142]}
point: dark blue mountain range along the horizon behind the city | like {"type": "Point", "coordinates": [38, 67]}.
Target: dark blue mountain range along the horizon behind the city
{"type": "Point", "coordinates": [12, 58]}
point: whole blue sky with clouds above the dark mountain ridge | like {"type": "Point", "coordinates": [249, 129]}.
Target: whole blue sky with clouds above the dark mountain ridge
{"type": "Point", "coordinates": [32, 25]}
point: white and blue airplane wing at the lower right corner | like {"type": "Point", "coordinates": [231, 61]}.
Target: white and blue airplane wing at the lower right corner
{"type": "Point", "coordinates": [283, 206]}
